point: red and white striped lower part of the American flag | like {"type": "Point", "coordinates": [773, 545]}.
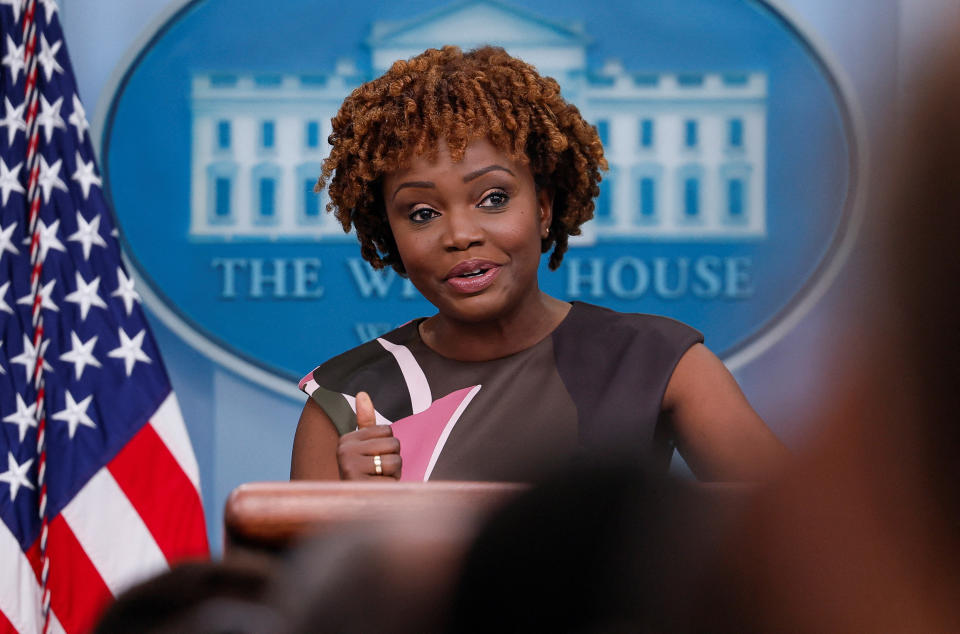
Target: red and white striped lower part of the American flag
{"type": "Point", "coordinates": [117, 531]}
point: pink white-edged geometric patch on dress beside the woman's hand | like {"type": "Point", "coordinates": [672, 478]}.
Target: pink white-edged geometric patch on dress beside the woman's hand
{"type": "Point", "coordinates": [422, 435]}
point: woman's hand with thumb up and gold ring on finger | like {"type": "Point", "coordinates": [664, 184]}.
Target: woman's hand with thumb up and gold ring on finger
{"type": "Point", "coordinates": [371, 452]}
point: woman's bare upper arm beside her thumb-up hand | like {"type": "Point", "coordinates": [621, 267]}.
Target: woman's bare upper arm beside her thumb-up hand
{"type": "Point", "coordinates": [314, 446]}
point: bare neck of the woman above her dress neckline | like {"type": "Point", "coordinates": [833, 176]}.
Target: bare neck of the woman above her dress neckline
{"type": "Point", "coordinates": [482, 341]}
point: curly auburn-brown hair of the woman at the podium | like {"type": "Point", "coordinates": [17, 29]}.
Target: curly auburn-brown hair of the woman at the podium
{"type": "Point", "coordinates": [459, 97]}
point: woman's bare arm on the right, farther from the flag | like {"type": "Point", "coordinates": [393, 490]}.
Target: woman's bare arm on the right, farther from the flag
{"type": "Point", "coordinates": [718, 434]}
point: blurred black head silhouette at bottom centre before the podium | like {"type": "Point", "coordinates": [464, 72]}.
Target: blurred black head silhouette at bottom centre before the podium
{"type": "Point", "coordinates": [602, 547]}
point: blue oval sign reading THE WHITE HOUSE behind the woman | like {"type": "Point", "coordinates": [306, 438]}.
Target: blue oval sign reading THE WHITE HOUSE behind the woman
{"type": "Point", "coordinates": [728, 204]}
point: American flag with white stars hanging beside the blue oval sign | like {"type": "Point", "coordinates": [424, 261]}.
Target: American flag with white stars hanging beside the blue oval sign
{"type": "Point", "coordinates": [99, 486]}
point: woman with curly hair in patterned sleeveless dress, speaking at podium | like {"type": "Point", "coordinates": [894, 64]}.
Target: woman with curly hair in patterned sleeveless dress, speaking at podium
{"type": "Point", "coordinates": [459, 171]}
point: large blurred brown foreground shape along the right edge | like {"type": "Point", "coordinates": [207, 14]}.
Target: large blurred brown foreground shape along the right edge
{"type": "Point", "coordinates": [865, 537]}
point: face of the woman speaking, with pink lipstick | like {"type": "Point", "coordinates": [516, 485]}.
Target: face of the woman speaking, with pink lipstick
{"type": "Point", "coordinates": [469, 233]}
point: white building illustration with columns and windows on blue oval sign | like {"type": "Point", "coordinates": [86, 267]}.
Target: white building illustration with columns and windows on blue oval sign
{"type": "Point", "coordinates": [687, 150]}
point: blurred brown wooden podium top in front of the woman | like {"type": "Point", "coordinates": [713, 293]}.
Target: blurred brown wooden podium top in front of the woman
{"type": "Point", "coordinates": [269, 517]}
